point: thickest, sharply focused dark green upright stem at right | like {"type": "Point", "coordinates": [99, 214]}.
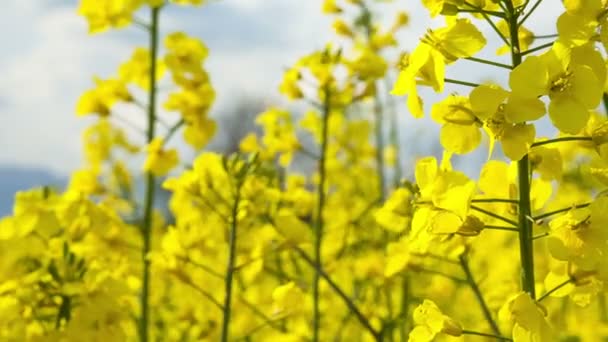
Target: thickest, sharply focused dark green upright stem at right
{"type": "Point", "coordinates": [526, 250]}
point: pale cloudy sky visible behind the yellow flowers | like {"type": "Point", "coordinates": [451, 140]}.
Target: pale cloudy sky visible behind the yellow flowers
{"type": "Point", "coordinates": [47, 60]}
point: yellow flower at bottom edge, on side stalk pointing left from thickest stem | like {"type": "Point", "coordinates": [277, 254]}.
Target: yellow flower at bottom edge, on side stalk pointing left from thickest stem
{"type": "Point", "coordinates": [430, 322]}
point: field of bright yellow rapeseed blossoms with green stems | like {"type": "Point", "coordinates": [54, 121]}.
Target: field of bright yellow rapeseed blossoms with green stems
{"type": "Point", "coordinates": [169, 240]}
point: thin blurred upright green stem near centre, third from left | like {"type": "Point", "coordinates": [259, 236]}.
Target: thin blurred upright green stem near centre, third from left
{"type": "Point", "coordinates": [318, 231]}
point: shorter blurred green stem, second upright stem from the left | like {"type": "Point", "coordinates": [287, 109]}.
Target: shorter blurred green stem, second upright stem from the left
{"type": "Point", "coordinates": [230, 267]}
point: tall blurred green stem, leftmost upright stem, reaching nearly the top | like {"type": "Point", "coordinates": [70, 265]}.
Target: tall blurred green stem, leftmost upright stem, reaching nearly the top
{"type": "Point", "coordinates": [150, 182]}
